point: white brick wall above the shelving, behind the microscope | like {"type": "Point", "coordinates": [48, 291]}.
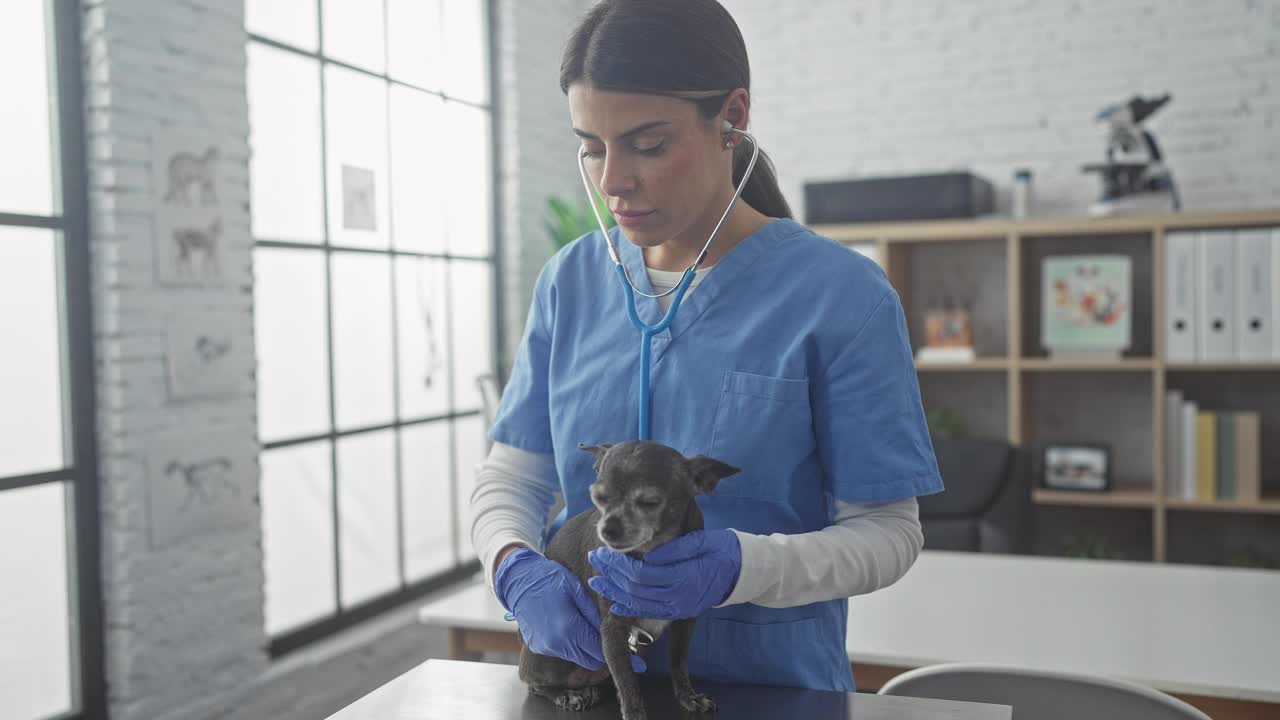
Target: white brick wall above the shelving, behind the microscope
{"type": "Point", "coordinates": [865, 88]}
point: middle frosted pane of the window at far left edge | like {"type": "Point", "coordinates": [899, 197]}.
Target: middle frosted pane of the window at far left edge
{"type": "Point", "coordinates": [31, 414]}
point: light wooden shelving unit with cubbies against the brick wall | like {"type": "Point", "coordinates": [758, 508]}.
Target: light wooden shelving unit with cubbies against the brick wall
{"type": "Point", "coordinates": [1002, 259]}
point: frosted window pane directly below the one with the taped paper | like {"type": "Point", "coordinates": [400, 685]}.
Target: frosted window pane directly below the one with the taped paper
{"type": "Point", "coordinates": [363, 340]}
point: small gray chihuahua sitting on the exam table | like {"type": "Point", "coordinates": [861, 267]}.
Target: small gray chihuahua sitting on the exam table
{"type": "Point", "coordinates": [644, 496]}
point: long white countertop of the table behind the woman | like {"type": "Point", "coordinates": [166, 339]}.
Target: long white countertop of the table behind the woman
{"type": "Point", "coordinates": [1177, 628]}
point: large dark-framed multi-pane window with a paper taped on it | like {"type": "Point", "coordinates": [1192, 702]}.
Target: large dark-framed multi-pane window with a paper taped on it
{"type": "Point", "coordinates": [372, 192]}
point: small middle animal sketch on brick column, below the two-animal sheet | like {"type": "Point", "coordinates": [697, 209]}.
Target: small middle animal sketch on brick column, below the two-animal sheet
{"type": "Point", "coordinates": [205, 354]}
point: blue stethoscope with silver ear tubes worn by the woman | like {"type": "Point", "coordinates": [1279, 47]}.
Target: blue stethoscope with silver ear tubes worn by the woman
{"type": "Point", "coordinates": [630, 289]}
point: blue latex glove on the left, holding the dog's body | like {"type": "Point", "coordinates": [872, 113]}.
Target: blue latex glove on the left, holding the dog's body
{"type": "Point", "coordinates": [556, 616]}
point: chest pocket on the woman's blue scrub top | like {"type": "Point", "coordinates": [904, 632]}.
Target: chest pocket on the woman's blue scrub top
{"type": "Point", "coordinates": [764, 426]}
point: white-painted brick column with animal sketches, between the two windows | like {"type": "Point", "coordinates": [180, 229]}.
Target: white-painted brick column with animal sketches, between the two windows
{"type": "Point", "coordinates": [184, 613]}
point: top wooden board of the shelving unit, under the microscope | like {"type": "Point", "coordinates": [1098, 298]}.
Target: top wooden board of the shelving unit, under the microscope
{"type": "Point", "coordinates": [996, 229]}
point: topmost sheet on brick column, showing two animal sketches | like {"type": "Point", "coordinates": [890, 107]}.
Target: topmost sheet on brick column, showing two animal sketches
{"type": "Point", "coordinates": [189, 209]}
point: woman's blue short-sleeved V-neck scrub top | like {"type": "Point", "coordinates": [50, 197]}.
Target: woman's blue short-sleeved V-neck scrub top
{"type": "Point", "coordinates": [790, 361]}
